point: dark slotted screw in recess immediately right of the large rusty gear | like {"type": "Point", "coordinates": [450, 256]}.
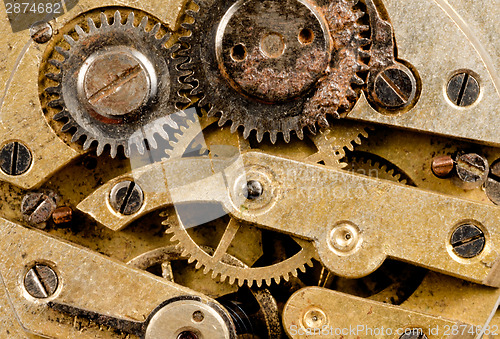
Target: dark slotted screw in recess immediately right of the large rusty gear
{"type": "Point", "coordinates": [395, 87]}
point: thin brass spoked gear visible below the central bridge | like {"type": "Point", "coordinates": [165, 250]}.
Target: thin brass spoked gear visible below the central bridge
{"type": "Point", "coordinates": [233, 271]}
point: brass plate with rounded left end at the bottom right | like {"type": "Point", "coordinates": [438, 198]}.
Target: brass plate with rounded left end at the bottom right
{"type": "Point", "coordinates": [332, 311]}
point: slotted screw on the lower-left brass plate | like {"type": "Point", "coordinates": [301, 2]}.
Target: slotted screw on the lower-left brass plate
{"type": "Point", "coordinates": [41, 281]}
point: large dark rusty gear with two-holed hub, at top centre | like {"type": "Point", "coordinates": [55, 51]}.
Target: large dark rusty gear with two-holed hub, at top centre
{"type": "Point", "coordinates": [276, 66]}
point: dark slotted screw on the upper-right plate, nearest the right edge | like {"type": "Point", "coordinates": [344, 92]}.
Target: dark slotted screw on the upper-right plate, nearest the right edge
{"type": "Point", "coordinates": [463, 89]}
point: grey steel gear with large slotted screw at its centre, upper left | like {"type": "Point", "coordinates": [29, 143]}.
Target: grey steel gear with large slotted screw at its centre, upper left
{"type": "Point", "coordinates": [118, 84]}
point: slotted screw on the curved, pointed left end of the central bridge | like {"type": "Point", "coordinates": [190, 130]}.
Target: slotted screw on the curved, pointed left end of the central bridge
{"type": "Point", "coordinates": [126, 197]}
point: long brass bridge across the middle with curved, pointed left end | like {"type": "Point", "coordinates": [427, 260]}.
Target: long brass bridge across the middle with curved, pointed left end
{"type": "Point", "coordinates": [350, 192]}
